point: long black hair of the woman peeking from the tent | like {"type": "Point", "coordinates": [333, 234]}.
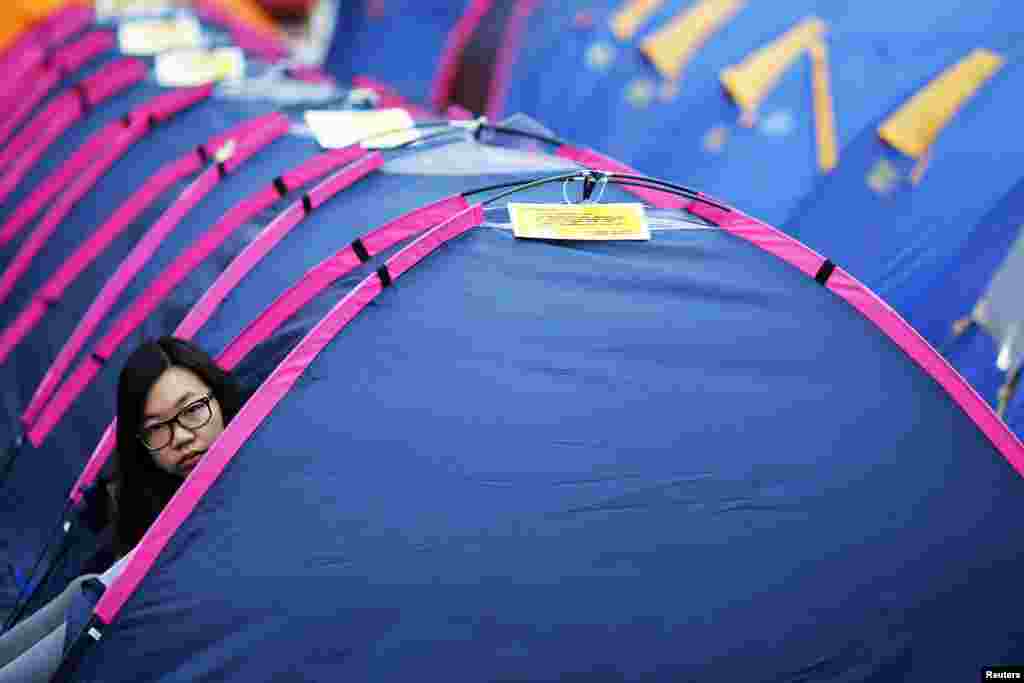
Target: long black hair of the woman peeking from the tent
{"type": "Point", "coordinates": [143, 488]}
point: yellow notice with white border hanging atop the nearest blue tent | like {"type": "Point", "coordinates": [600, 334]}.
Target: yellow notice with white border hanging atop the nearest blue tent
{"type": "Point", "coordinates": [580, 222]}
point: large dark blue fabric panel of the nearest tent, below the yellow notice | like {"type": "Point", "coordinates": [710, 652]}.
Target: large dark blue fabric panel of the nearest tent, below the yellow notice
{"type": "Point", "coordinates": [551, 497]}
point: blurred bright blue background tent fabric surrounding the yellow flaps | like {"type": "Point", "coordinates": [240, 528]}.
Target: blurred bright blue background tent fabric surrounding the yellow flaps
{"type": "Point", "coordinates": [903, 226]}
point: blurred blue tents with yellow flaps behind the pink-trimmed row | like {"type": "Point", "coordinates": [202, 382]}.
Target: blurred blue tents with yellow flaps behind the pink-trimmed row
{"type": "Point", "coordinates": [914, 110]}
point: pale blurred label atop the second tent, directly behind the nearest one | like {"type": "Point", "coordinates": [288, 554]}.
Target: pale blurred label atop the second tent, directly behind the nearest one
{"type": "Point", "coordinates": [377, 130]}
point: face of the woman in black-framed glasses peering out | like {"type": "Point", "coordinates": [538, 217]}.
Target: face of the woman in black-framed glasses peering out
{"type": "Point", "coordinates": [180, 394]}
